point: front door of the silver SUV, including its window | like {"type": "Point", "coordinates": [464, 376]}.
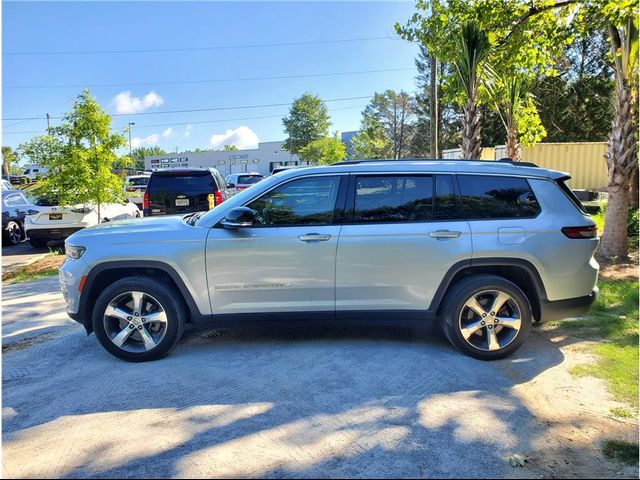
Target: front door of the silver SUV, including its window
{"type": "Point", "coordinates": [286, 261]}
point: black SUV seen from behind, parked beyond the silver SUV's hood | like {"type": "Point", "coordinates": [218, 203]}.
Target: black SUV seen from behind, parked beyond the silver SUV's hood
{"type": "Point", "coordinates": [180, 191]}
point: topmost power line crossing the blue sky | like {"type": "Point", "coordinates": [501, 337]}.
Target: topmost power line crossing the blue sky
{"type": "Point", "coordinates": [196, 49]}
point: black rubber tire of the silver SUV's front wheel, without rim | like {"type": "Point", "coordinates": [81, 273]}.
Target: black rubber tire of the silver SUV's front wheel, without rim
{"type": "Point", "coordinates": [166, 295]}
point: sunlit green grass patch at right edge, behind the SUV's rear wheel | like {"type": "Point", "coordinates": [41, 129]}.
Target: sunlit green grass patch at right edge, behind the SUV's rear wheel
{"type": "Point", "coordinates": [614, 321]}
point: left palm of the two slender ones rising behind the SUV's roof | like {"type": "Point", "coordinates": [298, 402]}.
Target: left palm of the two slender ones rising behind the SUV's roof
{"type": "Point", "coordinates": [470, 61]}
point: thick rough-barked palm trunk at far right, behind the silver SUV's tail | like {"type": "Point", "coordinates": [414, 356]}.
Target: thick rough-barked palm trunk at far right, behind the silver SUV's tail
{"type": "Point", "coordinates": [622, 154]}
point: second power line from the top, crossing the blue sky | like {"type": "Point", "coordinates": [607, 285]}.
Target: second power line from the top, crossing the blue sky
{"type": "Point", "coordinates": [218, 80]}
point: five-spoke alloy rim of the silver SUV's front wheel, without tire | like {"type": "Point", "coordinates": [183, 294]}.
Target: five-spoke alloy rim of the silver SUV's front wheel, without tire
{"type": "Point", "coordinates": [135, 322]}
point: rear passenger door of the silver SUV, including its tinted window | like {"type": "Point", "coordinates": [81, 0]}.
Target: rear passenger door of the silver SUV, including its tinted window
{"type": "Point", "coordinates": [402, 235]}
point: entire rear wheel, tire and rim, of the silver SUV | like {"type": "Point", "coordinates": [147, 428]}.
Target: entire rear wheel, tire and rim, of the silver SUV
{"type": "Point", "coordinates": [486, 317]}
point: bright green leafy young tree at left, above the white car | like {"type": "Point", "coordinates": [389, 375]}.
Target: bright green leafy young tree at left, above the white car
{"type": "Point", "coordinates": [79, 155]}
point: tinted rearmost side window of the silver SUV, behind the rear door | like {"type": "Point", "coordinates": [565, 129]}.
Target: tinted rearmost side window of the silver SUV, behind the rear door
{"type": "Point", "coordinates": [496, 197]}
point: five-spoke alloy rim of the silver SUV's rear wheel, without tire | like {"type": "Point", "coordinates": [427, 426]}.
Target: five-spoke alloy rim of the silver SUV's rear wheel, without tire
{"type": "Point", "coordinates": [490, 320]}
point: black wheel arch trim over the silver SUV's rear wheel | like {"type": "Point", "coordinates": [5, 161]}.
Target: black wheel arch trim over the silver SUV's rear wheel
{"type": "Point", "coordinates": [519, 271]}
